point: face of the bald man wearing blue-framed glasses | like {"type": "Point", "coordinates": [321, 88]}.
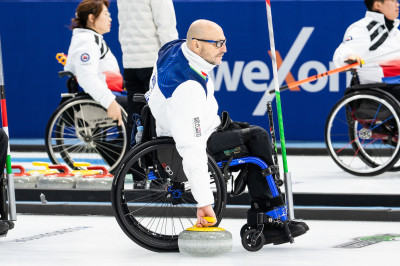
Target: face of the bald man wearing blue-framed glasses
{"type": "Point", "coordinates": [210, 52]}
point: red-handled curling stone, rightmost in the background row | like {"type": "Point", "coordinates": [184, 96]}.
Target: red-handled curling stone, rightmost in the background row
{"type": "Point", "coordinates": [101, 181]}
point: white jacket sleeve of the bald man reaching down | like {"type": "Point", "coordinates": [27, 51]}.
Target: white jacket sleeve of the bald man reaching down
{"type": "Point", "coordinates": [185, 116]}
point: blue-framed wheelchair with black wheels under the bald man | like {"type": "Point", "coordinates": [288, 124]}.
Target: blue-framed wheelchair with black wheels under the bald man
{"type": "Point", "coordinates": [152, 199]}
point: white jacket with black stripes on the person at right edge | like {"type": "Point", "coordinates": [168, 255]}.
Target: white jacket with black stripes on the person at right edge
{"type": "Point", "coordinates": [369, 38]}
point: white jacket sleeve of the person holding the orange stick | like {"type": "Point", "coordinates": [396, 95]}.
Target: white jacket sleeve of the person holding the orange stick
{"type": "Point", "coordinates": [356, 41]}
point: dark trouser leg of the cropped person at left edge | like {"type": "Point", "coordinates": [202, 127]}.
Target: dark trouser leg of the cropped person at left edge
{"type": "Point", "coordinates": [3, 157]}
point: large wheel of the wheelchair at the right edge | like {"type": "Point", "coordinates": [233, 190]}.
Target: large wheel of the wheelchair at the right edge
{"type": "Point", "coordinates": [361, 133]}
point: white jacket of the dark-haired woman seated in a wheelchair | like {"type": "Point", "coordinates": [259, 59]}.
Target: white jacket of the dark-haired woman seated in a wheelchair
{"type": "Point", "coordinates": [89, 59]}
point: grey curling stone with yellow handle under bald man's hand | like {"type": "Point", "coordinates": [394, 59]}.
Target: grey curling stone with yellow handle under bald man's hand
{"type": "Point", "coordinates": [205, 241]}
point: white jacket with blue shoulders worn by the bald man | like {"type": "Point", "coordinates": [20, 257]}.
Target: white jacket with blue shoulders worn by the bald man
{"type": "Point", "coordinates": [181, 99]}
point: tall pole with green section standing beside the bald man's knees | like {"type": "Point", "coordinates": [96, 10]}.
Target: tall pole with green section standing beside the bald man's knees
{"type": "Point", "coordinates": [287, 177]}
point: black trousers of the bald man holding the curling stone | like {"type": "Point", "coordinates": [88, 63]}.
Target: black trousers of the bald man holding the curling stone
{"type": "Point", "coordinates": [259, 145]}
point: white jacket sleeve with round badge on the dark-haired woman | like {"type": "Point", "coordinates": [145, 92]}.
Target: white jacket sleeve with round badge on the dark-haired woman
{"type": "Point", "coordinates": [86, 56]}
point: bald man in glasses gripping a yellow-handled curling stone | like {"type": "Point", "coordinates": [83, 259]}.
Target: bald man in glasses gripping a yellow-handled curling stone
{"type": "Point", "coordinates": [181, 98]}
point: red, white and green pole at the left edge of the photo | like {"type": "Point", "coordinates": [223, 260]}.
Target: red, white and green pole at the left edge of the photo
{"type": "Point", "coordinates": [10, 178]}
